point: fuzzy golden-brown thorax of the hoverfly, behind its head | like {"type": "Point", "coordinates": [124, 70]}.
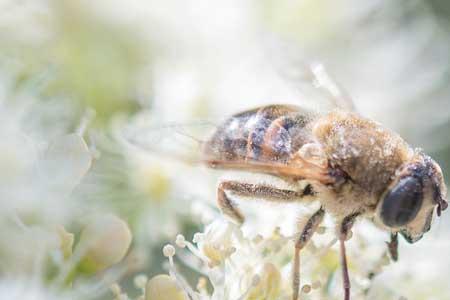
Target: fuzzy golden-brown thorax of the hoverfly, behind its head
{"type": "Point", "coordinates": [368, 153]}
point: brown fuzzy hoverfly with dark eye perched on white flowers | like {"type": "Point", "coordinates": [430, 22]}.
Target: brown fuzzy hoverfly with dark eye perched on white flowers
{"type": "Point", "coordinates": [353, 166]}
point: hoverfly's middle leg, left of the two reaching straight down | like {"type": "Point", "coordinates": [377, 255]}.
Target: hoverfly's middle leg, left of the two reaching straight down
{"type": "Point", "coordinates": [305, 236]}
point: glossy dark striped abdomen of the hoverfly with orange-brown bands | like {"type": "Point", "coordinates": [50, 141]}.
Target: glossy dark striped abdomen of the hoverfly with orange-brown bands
{"type": "Point", "coordinates": [270, 133]}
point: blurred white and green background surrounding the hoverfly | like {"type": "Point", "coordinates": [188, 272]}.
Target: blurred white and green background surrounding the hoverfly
{"type": "Point", "coordinates": [88, 67]}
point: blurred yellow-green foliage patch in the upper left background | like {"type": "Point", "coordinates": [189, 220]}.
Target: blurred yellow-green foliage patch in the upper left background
{"type": "Point", "coordinates": [87, 59]}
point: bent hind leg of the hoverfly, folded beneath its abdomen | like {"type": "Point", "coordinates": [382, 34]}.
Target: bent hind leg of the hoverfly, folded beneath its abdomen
{"type": "Point", "coordinates": [260, 191]}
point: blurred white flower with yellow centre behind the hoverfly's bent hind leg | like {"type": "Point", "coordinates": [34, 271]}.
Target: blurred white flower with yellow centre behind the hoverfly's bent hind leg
{"type": "Point", "coordinates": [155, 193]}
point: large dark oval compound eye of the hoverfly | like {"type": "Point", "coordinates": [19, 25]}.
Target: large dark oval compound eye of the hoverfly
{"type": "Point", "coordinates": [401, 205]}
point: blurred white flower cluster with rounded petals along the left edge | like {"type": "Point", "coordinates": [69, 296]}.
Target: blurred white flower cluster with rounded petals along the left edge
{"type": "Point", "coordinates": [41, 170]}
